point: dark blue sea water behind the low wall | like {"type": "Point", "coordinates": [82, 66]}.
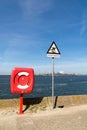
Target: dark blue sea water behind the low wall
{"type": "Point", "coordinates": [63, 85]}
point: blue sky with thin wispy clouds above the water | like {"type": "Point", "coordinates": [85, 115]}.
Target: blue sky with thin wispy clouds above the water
{"type": "Point", "coordinates": [28, 27]}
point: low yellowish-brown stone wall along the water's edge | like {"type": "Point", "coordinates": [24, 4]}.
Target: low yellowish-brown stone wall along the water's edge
{"type": "Point", "coordinates": [34, 104]}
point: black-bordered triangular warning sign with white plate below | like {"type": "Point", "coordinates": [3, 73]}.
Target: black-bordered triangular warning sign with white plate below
{"type": "Point", "coordinates": [53, 51]}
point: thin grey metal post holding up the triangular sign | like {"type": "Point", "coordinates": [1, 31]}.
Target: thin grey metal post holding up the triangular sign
{"type": "Point", "coordinates": [53, 82]}
